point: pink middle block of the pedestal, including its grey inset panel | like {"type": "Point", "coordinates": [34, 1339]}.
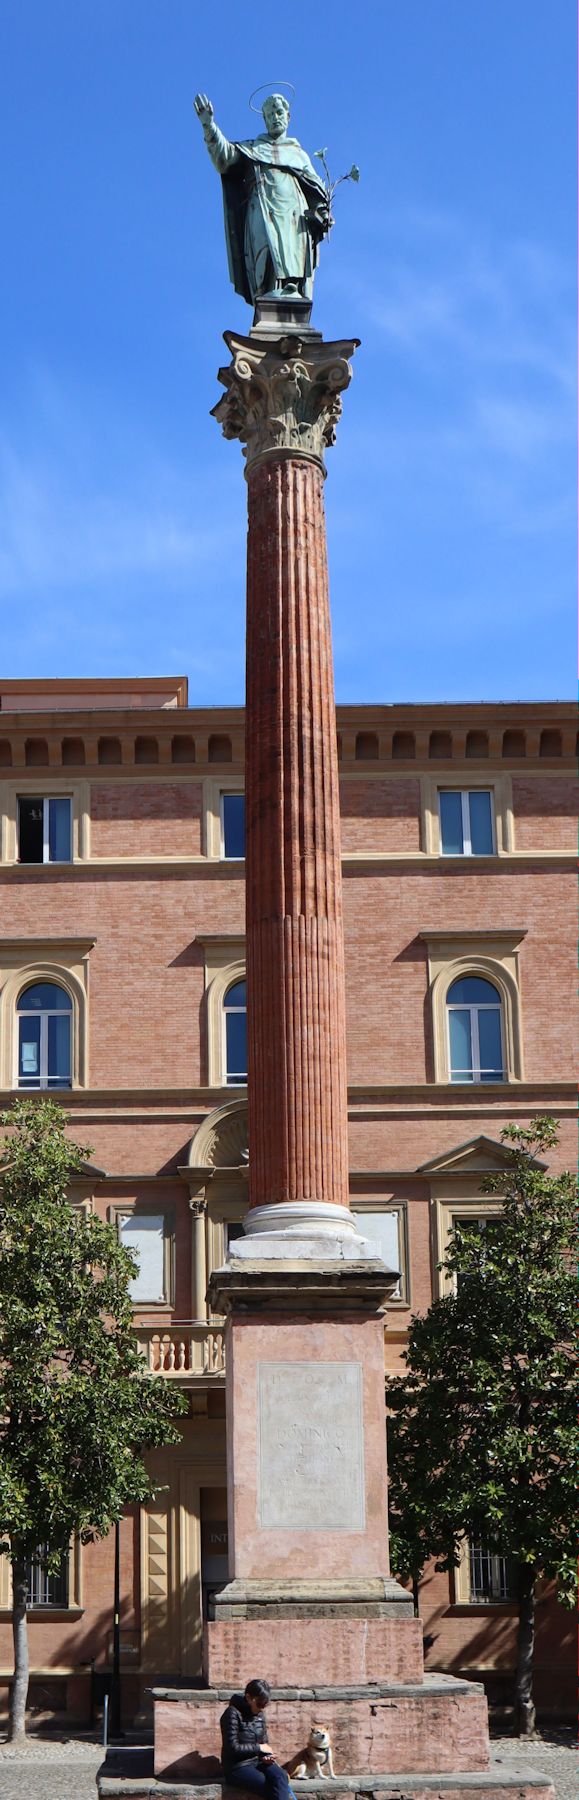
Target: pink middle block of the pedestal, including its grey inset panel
{"type": "Point", "coordinates": [307, 1448]}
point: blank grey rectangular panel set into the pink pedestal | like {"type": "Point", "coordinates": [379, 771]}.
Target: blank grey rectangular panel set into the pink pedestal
{"type": "Point", "coordinates": [310, 1448]}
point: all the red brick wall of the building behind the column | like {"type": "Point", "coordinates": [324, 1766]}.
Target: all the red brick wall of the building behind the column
{"type": "Point", "coordinates": [148, 1032]}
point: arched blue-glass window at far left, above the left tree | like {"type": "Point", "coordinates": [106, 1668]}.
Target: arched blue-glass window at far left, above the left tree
{"type": "Point", "coordinates": [44, 1036]}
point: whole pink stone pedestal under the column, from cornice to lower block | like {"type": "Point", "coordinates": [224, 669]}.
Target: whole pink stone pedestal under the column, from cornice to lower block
{"type": "Point", "coordinates": [310, 1588]}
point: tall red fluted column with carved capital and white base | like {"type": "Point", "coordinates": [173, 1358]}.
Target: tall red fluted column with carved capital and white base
{"type": "Point", "coordinates": [283, 402]}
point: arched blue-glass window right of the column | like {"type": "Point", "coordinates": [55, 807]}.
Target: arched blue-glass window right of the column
{"type": "Point", "coordinates": [476, 1036]}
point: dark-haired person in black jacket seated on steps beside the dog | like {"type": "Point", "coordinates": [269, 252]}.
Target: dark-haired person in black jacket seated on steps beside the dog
{"type": "Point", "coordinates": [247, 1758]}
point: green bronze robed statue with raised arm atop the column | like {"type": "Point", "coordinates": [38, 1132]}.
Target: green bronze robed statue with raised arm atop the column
{"type": "Point", "coordinates": [276, 206]}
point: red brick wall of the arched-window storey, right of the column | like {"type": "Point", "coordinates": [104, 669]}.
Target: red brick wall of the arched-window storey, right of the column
{"type": "Point", "coordinates": [387, 966]}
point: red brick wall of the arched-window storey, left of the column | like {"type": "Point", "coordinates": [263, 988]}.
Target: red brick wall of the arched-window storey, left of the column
{"type": "Point", "coordinates": [147, 971]}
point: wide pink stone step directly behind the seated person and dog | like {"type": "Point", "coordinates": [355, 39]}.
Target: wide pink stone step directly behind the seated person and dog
{"type": "Point", "coordinates": [373, 1727]}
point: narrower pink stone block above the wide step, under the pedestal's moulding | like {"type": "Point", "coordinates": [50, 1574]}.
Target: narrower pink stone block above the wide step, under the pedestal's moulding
{"type": "Point", "coordinates": [294, 1651]}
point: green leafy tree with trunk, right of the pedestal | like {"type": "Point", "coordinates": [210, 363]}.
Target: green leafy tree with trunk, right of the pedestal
{"type": "Point", "coordinates": [483, 1434]}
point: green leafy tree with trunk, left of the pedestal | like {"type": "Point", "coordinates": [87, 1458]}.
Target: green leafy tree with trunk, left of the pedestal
{"type": "Point", "coordinates": [76, 1408]}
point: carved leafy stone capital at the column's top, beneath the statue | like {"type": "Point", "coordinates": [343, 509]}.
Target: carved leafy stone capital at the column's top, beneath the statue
{"type": "Point", "coordinates": [285, 397]}
